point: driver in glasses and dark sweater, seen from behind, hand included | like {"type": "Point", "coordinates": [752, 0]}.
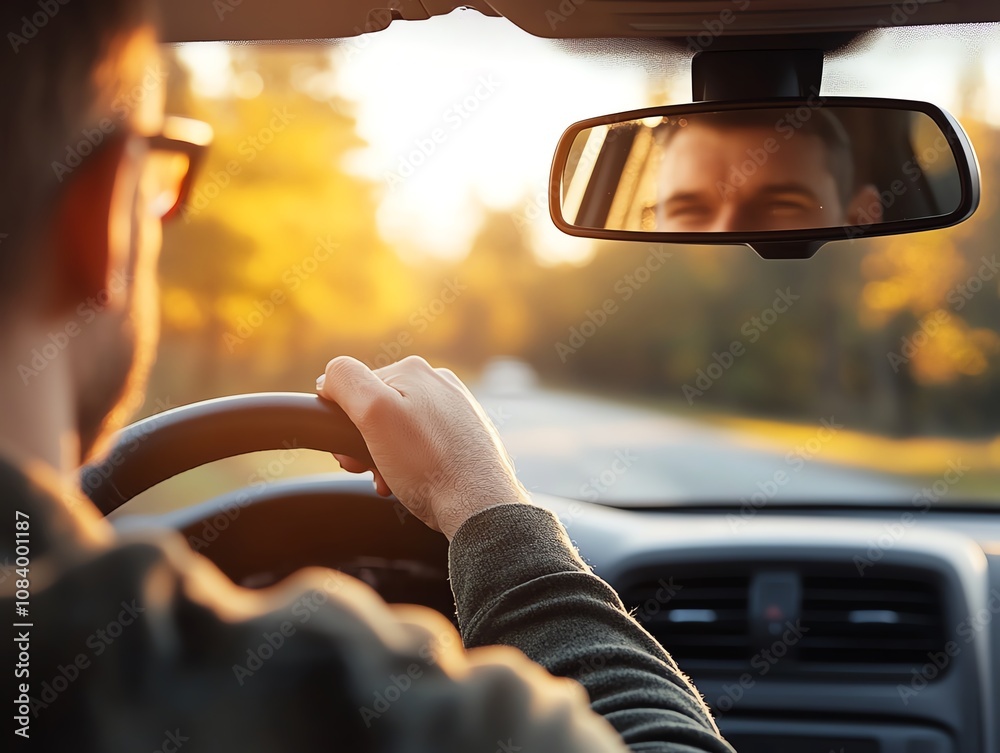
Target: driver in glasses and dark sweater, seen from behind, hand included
{"type": "Point", "coordinates": [137, 643]}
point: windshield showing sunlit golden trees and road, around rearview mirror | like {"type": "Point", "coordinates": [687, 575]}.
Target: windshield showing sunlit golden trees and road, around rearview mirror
{"type": "Point", "coordinates": [385, 195]}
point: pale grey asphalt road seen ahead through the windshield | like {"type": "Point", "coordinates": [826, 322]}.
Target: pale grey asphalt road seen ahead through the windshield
{"type": "Point", "coordinates": [586, 448]}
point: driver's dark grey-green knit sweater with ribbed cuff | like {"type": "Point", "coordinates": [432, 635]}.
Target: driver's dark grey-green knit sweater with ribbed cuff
{"type": "Point", "coordinates": [138, 644]}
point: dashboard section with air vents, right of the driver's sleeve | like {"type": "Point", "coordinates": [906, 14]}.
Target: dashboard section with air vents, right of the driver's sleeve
{"type": "Point", "coordinates": [833, 630]}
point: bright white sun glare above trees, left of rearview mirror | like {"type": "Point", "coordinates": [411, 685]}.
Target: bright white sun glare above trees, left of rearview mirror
{"type": "Point", "coordinates": [454, 125]}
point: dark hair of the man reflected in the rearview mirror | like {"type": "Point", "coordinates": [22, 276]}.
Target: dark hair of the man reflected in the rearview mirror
{"type": "Point", "coordinates": [820, 122]}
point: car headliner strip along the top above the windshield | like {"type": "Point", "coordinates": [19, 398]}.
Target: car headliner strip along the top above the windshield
{"type": "Point", "coordinates": [731, 22]}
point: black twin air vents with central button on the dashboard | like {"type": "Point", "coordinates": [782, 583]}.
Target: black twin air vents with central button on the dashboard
{"type": "Point", "coordinates": [724, 619]}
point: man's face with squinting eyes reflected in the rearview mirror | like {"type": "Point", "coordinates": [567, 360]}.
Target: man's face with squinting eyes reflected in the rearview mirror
{"type": "Point", "coordinates": [728, 177]}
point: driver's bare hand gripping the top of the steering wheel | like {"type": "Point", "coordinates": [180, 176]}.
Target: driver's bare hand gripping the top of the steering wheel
{"type": "Point", "coordinates": [432, 443]}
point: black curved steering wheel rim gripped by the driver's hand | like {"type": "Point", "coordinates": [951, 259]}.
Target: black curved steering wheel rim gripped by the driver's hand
{"type": "Point", "coordinates": [162, 446]}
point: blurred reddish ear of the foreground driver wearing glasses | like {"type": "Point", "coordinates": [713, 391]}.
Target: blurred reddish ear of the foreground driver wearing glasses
{"type": "Point", "coordinates": [81, 251]}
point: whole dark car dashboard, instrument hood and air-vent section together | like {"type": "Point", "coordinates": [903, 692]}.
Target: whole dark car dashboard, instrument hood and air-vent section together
{"type": "Point", "coordinates": [810, 629]}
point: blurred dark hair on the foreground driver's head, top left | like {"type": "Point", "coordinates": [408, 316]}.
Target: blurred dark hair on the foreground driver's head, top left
{"type": "Point", "coordinates": [50, 52]}
